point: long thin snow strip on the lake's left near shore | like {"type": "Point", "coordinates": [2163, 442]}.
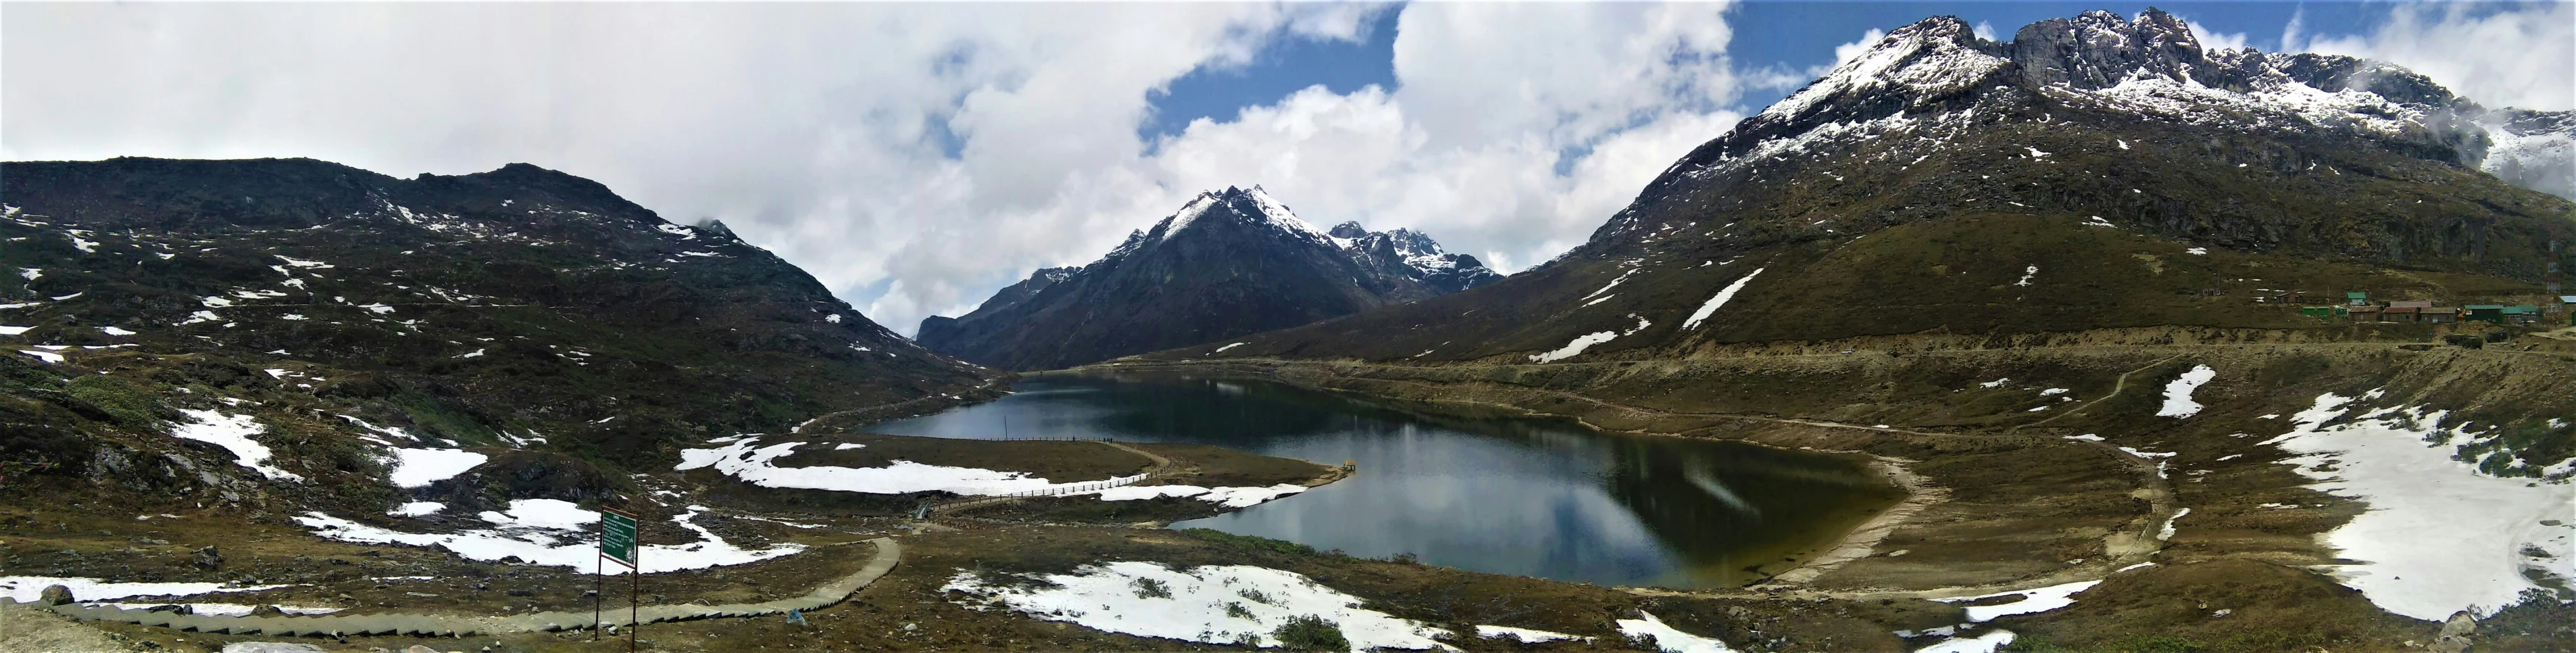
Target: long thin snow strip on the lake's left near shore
{"type": "Point", "coordinates": [751, 463]}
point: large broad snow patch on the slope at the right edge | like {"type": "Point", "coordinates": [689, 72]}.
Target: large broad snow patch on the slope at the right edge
{"type": "Point", "coordinates": [2438, 533]}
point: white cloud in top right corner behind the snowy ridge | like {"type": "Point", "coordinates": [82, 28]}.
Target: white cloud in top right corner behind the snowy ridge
{"type": "Point", "coordinates": [2497, 55]}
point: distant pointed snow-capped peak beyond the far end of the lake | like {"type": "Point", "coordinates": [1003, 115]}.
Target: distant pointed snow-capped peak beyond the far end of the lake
{"type": "Point", "coordinates": [1227, 265]}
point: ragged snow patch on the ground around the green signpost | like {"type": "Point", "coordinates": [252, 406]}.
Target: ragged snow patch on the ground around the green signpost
{"type": "Point", "coordinates": [550, 533]}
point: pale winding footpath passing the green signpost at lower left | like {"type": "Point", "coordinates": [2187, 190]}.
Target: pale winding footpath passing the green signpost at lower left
{"type": "Point", "coordinates": [455, 626]}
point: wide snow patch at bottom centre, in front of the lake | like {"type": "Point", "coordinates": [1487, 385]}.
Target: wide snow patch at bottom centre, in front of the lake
{"type": "Point", "coordinates": [1199, 605]}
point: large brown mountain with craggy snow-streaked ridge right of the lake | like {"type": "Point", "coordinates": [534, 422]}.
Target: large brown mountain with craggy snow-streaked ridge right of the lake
{"type": "Point", "coordinates": [2090, 174]}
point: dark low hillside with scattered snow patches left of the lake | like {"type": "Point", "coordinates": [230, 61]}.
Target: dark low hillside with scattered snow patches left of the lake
{"type": "Point", "coordinates": [344, 319]}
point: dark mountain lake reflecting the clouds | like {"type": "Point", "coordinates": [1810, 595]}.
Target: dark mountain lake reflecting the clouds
{"type": "Point", "coordinates": [1498, 494]}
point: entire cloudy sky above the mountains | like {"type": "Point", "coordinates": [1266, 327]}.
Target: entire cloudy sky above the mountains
{"type": "Point", "coordinates": [918, 159]}
